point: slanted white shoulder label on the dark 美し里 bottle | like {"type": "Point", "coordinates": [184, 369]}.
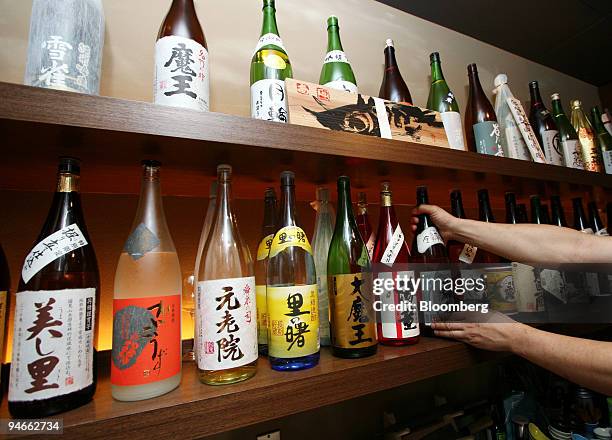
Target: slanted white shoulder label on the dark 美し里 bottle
{"type": "Point", "coordinates": [52, 247]}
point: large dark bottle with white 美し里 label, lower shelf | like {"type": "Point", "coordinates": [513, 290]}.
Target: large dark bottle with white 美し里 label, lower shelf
{"type": "Point", "coordinates": [59, 278]}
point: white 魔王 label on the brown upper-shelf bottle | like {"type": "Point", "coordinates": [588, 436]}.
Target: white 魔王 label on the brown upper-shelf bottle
{"type": "Point", "coordinates": [181, 73]}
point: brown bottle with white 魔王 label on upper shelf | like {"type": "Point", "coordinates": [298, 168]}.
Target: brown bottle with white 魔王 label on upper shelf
{"type": "Point", "coordinates": [181, 60]}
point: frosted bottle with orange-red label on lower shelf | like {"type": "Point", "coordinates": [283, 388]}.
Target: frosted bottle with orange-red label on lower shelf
{"type": "Point", "coordinates": [146, 356]}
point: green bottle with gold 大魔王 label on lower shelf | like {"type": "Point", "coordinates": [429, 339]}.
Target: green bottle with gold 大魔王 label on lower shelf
{"type": "Point", "coordinates": [349, 274]}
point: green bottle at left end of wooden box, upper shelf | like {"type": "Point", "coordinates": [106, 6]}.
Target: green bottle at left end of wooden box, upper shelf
{"type": "Point", "coordinates": [270, 67]}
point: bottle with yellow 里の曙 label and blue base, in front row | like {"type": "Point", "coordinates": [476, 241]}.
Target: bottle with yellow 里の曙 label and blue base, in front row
{"type": "Point", "coordinates": [292, 300]}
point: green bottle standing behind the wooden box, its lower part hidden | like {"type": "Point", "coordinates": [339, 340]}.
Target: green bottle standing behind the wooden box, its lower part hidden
{"type": "Point", "coordinates": [336, 72]}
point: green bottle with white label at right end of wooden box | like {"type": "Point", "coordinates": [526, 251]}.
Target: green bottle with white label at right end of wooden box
{"type": "Point", "coordinates": [442, 100]}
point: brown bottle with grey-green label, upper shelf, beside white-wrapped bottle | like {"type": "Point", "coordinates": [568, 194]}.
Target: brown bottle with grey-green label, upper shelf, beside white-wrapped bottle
{"type": "Point", "coordinates": [481, 127]}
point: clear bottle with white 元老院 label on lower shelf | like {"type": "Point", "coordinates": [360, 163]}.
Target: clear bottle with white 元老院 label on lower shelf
{"type": "Point", "coordinates": [225, 307]}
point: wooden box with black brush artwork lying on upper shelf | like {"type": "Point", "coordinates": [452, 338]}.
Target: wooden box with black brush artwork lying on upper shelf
{"type": "Point", "coordinates": [314, 105]}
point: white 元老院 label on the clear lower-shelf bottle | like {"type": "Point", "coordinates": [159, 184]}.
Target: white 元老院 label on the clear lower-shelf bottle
{"type": "Point", "coordinates": [227, 322]}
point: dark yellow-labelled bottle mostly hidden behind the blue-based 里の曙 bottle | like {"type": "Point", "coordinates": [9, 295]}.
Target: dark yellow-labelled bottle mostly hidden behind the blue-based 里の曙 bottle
{"type": "Point", "coordinates": [261, 267]}
